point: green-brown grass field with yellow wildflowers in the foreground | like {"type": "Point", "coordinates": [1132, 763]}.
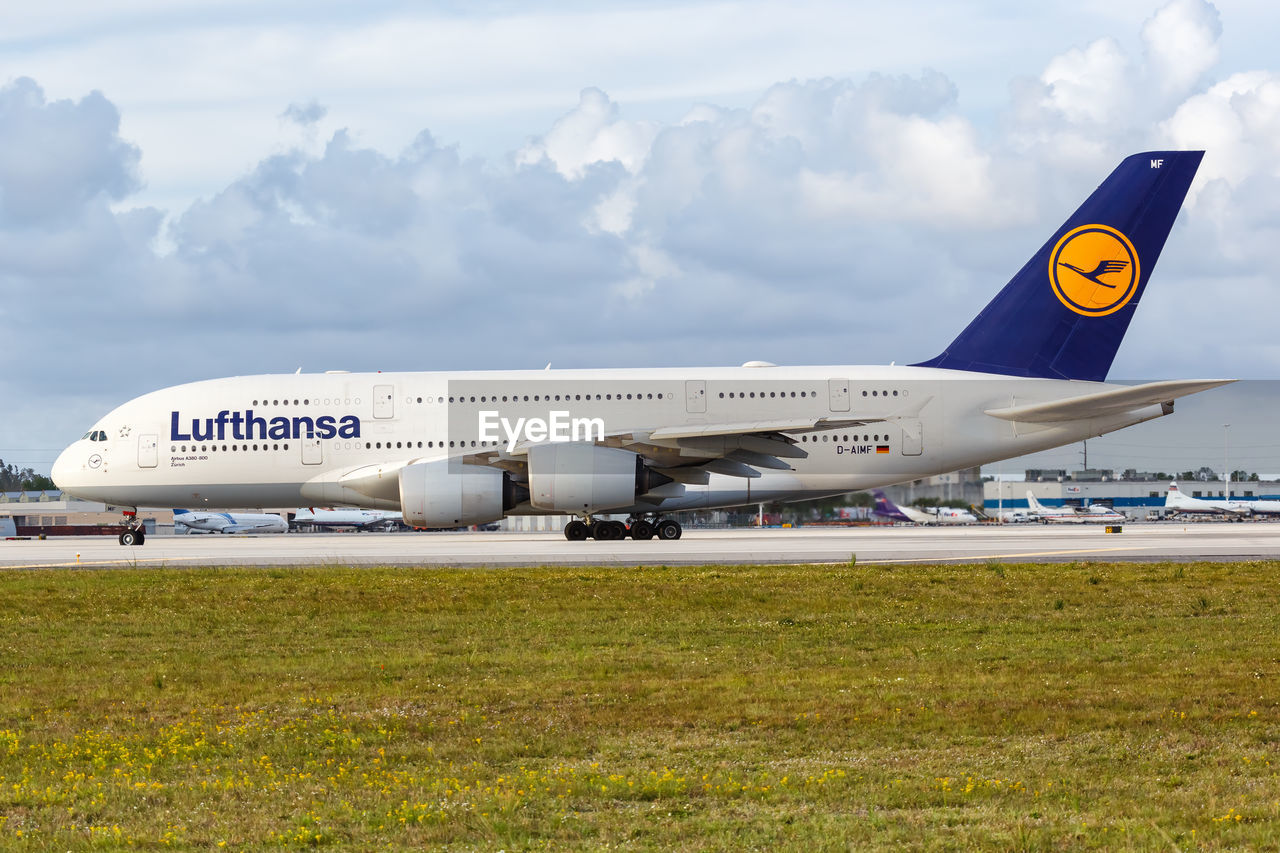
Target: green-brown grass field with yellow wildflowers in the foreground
{"type": "Point", "coordinates": [775, 708]}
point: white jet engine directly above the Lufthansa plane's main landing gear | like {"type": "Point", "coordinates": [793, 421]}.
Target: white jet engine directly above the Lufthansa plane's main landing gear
{"type": "Point", "coordinates": [566, 477]}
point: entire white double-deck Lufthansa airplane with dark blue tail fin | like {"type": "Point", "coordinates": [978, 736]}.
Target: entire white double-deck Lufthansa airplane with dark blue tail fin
{"type": "Point", "coordinates": [463, 449]}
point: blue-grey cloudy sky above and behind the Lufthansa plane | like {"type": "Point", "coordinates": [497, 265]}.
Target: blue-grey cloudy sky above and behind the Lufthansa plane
{"type": "Point", "coordinates": [194, 189]}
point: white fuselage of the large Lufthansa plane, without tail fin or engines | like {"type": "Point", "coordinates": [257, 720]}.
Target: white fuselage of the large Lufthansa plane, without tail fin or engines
{"type": "Point", "coordinates": [291, 440]}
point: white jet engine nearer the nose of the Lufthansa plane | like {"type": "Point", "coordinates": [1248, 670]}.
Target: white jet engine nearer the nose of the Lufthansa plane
{"type": "Point", "coordinates": [450, 495]}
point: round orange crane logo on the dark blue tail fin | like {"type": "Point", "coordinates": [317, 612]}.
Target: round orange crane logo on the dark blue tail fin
{"type": "Point", "coordinates": [1094, 271]}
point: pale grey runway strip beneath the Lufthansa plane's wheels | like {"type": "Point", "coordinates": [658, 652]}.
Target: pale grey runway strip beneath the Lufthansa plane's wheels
{"type": "Point", "coordinates": [1023, 544]}
